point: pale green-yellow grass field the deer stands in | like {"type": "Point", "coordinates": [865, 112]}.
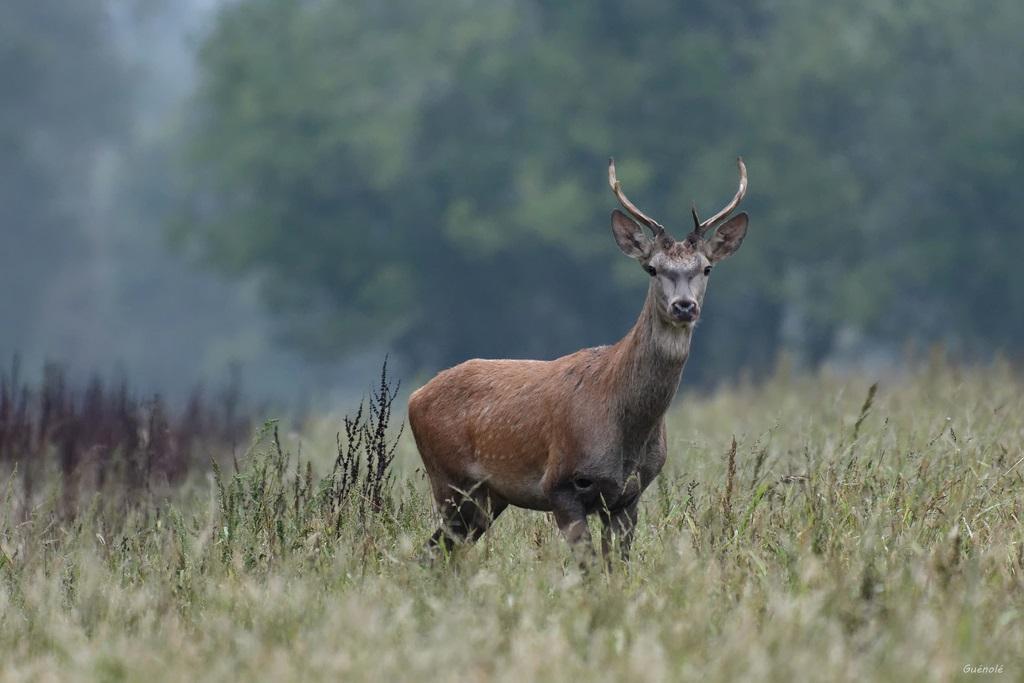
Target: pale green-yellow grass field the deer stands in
{"type": "Point", "coordinates": [858, 536]}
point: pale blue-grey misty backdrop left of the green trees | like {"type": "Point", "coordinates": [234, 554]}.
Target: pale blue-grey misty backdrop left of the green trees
{"type": "Point", "coordinates": [91, 133]}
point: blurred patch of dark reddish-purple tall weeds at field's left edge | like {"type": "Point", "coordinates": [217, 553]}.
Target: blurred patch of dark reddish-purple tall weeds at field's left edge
{"type": "Point", "coordinates": [73, 442]}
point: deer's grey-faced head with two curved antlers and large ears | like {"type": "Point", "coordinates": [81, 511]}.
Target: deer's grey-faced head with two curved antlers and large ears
{"type": "Point", "coordinates": [679, 269]}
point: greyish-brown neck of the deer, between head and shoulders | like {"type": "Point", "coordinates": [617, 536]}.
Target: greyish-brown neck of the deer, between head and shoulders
{"type": "Point", "coordinates": [649, 366]}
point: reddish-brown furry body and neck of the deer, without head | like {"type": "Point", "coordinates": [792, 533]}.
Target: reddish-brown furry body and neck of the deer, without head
{"type": "Point", "coordinates": [530, 433]}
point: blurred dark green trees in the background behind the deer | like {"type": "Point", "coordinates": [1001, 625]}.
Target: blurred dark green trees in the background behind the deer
{"type": "Point", "coordinates": [432, 177]}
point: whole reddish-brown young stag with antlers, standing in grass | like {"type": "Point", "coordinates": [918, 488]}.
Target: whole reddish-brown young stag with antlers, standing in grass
{"type": "Point", "coordinates": [584, 434]}
